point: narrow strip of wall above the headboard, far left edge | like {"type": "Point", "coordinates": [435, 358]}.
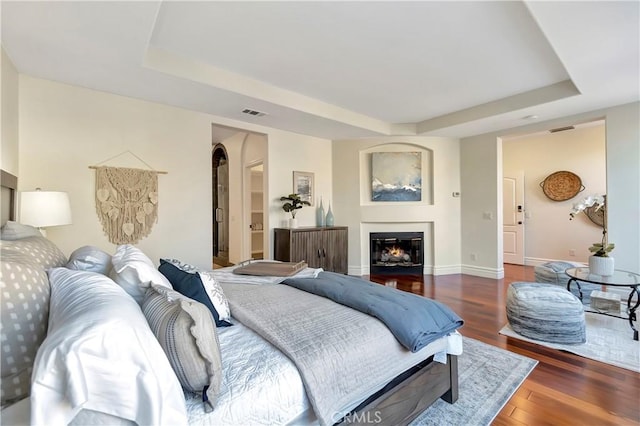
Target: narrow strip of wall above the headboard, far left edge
{"type": "Point", "coordinates": [9, 113]}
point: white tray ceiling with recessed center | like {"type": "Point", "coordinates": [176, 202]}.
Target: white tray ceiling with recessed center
{"type": "Point", "coordinates": [341, 69]}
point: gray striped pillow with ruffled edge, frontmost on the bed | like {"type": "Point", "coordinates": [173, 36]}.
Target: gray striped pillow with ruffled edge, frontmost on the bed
{"type": "Point", "coordinates": [187, 333]}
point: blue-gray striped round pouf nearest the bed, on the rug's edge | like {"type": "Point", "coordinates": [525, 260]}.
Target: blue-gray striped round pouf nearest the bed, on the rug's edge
{"type": "Point", "coordinates": [545, 312]}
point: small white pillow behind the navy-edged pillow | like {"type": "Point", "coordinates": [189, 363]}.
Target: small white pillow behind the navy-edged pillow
{"type": "Point", "coordinates": [135, 272]}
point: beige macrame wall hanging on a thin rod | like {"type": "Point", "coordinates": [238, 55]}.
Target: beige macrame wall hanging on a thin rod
{"type": "Point", "coordinates": [126, 202]}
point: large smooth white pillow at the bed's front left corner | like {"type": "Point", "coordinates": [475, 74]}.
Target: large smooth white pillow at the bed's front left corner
{"type": "Point", "coordinates": [101, 355]}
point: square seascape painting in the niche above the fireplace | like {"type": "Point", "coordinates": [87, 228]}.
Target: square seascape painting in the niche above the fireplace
{"type": "Point", "coordinates": [396, 176]}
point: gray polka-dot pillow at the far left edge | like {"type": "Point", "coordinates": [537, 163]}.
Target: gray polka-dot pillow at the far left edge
{"type": "Point", "coordinates": [24, 306]}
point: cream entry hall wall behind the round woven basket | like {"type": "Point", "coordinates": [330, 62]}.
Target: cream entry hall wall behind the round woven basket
{"type": "Point", "coordinates": [549, 235]}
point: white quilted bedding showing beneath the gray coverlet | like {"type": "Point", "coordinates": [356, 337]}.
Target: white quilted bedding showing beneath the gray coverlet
{"type": "Point", "coordinates": [261, 385]}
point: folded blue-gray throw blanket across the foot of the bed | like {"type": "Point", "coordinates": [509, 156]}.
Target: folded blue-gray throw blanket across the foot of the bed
{"type": "Point", "coordinates": [415, 321]}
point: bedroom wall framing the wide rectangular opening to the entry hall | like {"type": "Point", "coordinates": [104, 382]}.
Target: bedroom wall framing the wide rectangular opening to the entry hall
{"type": "Point", "coordinates": [481, 174]}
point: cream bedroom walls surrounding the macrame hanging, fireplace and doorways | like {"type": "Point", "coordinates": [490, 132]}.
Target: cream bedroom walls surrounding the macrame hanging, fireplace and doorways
{"type": "Point", "coordinates": [64, 129]}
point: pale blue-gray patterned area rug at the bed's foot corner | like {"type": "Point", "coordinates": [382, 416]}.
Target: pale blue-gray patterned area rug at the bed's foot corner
{"type": "Point", "coordinates": [487, 378]}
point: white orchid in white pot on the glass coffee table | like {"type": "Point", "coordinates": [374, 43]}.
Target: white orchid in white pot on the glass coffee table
{"type": "Point", "coordinates": [600, 263]}
